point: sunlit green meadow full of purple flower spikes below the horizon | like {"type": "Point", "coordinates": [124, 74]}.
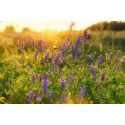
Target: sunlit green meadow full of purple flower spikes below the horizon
{"type": "Point", "coordinates": [62, 67]}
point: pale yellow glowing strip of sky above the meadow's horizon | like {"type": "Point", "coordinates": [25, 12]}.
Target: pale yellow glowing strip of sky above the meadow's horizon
{"type": "Point", "coordinates": [42, 25]}
